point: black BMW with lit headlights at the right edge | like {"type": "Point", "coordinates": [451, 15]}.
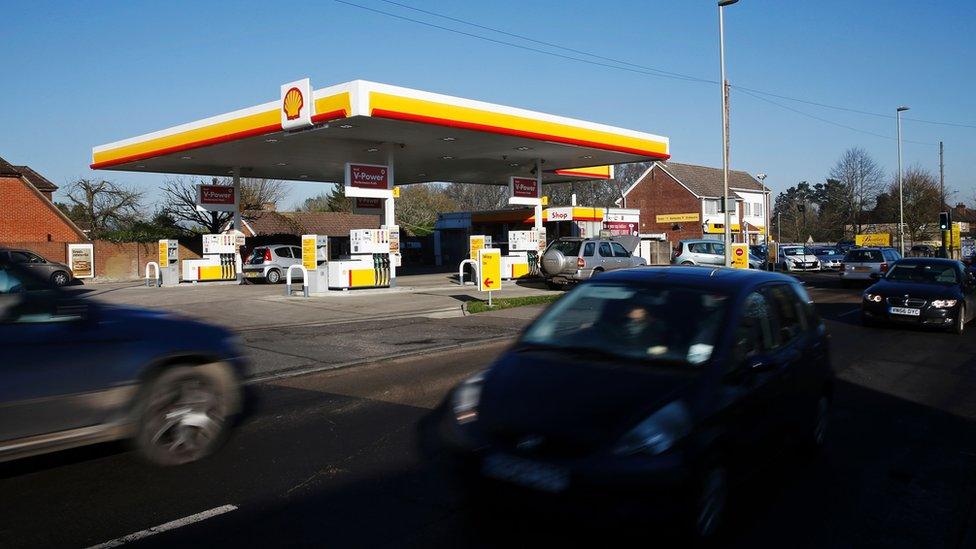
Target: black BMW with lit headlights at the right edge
{"type": "Point", "coordinates": [922, 292]}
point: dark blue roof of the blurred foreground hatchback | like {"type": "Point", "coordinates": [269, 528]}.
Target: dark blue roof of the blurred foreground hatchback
{"type": "Point", "coordinates": [724, 279]}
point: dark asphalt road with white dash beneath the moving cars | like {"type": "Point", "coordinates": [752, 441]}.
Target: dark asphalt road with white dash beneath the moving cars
{"type": "Point", "coordinates": [330, 459]}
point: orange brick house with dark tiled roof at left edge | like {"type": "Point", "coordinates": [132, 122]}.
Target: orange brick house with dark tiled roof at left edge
{"type": "Point", "coordinates": [27, 213]}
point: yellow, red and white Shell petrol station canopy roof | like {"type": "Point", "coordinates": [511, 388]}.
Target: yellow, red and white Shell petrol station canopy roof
{"type": "Point", "coordinates": [428, 136]}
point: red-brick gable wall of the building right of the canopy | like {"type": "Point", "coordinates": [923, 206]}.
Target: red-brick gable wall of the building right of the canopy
{"type": "Point", "coordinates": [659, 194]}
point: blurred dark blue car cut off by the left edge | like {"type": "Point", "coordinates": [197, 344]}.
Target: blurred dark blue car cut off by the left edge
{"type": "Point", "coordinates": [76, 372]}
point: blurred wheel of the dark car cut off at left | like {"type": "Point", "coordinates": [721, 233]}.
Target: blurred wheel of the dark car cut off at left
{"type": "Point", "coordinates": [185, 412]}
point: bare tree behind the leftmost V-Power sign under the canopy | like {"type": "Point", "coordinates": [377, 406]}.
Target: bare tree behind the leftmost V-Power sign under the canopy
{"type": "Point", "coordinates": [180, 199]}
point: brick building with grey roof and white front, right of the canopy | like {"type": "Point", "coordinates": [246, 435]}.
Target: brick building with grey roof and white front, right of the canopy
{"type": "Point", "coordinates": [682, 201]}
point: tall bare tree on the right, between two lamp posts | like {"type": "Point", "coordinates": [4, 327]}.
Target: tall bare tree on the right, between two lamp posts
{"type": "Point", "coordinates": [862, 180]}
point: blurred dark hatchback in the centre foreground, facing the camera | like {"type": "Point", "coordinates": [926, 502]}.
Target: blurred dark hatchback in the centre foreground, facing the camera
{"type": "Point", "coordinates": [649, 389]}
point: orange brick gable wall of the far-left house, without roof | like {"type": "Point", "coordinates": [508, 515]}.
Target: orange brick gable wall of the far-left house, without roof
{"type": "Point", "coordinates": [28, 217]}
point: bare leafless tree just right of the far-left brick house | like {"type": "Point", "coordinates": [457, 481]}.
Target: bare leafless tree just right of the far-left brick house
{"type": "Point", "coordinates": [103, 205]}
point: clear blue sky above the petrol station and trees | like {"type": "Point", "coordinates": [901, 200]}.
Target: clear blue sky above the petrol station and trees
{"type": "Point", "coordinates": [80, 74]}
